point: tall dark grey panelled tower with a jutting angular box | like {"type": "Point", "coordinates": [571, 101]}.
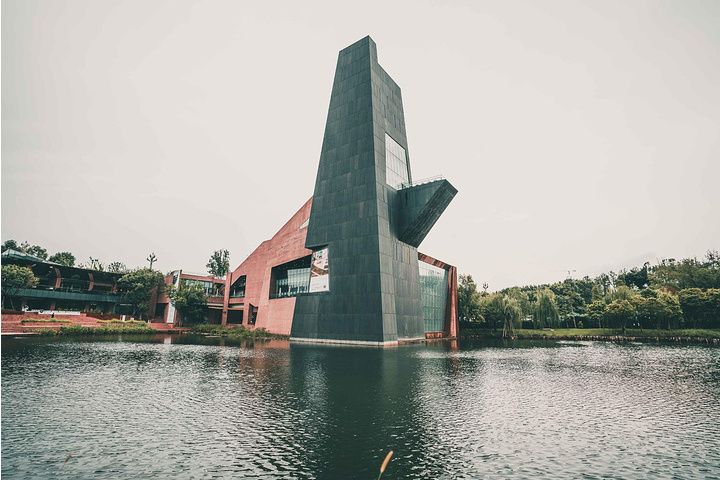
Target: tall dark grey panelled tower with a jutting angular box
{"type": "Point", "coordinates": [367, 217]}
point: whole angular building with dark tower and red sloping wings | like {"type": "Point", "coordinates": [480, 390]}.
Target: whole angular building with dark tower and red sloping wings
{"type": "Point", "coordinates": [345, 268]}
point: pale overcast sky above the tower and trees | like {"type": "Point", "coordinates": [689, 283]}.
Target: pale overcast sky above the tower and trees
{"type": "Point", "coordinates": [581, 136]}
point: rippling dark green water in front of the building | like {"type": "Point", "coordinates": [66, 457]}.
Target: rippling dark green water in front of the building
{"type": "Point", "coordinates": [206, 408]}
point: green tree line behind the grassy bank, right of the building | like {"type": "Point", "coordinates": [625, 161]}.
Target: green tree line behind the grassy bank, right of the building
{"type": "Point", "coordinates": [671, 294]}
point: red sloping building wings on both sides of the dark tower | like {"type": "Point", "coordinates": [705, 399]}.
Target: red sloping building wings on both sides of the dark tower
{"type": "Point", "coordinates": [261, 291]}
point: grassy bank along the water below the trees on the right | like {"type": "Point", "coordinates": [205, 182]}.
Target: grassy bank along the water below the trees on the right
{"type": "Point", "coordinates": [611, 334]}
